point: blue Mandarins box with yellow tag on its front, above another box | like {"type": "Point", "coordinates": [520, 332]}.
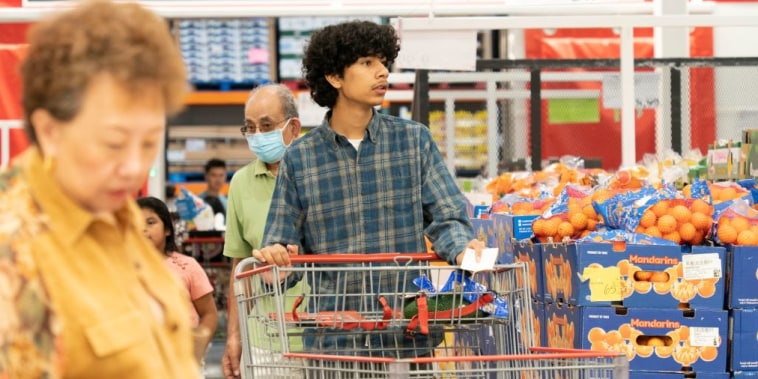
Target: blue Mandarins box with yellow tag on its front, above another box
{"type": "Point", "coordinates": [649, 276]}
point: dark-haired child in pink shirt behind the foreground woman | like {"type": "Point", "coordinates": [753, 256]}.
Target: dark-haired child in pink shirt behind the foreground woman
{"type": "Point", "coordinates": [159, 229]}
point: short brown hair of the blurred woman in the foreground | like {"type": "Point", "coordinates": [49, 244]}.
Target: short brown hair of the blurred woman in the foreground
{"type": "Point", "coordinates": [125, 41]}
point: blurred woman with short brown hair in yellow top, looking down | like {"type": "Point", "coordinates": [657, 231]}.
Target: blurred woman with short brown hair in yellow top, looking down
{"type": "Point", "coordinates": [83, 294]}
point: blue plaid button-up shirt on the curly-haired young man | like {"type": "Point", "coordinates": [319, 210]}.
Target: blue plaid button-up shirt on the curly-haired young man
{"type": "Point", "coordinates": [330, 198]}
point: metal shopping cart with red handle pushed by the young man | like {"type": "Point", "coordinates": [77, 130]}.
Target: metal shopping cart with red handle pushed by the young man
{"type": "Point", "coordinates": [397, 316]}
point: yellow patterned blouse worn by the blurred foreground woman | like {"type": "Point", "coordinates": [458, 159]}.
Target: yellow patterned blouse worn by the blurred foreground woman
{"type": "Point", "coordinates": [81, 297]}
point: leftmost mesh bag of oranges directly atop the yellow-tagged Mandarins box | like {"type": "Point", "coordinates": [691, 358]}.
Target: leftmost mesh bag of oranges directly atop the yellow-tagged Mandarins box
{"type": "Point", "coordinates": [571, 216]}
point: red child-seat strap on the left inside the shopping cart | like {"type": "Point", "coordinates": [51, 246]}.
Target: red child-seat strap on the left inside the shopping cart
{"type": "Point", "coordinates": [346, 320]}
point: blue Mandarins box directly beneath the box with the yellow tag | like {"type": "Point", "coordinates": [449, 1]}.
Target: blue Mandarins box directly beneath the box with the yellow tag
{"type": "Point", "coordinates": [652, 339]}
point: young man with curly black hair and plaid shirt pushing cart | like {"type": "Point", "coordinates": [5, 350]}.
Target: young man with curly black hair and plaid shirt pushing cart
{"type": "Point", "coordinates": [362, 182]}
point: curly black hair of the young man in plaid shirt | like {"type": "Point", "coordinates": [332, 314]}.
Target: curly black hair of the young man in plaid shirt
{"type": "Point", "coordinates": [335, 47]}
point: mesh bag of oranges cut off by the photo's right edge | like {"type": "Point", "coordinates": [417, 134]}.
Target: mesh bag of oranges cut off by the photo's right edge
{"type": "Point", "coordinates": [737, 225]}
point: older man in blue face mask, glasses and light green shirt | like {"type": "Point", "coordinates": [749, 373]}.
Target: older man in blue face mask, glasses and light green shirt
{"type": "Point", "coordinates": [271, 124]}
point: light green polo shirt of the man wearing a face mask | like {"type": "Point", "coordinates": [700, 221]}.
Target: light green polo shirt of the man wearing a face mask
{"type": "Point", "coordinates": [250, 193]}
